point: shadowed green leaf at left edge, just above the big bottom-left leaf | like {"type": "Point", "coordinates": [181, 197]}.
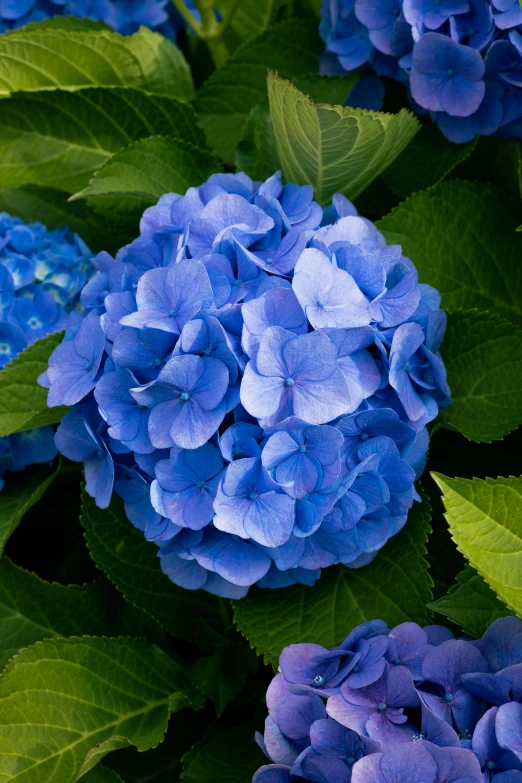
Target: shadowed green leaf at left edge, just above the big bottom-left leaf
{"type": "Point", "coordinates": [32, 610]}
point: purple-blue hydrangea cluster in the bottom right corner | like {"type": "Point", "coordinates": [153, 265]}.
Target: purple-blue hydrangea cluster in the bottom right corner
{"type": "Point", "coordinates": [406, 705]}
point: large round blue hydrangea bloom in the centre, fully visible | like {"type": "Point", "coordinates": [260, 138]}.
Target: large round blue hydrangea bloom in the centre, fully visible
{"type": "Point", "coordinates": [254, 378]}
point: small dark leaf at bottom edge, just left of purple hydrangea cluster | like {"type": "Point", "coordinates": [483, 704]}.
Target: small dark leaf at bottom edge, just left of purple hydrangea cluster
{"type": "Point", "coordinates": [224, 755]}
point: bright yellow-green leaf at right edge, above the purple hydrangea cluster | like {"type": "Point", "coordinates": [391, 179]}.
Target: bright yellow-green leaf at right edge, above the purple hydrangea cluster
{"type": "Point", "coordinates": [485, 520]}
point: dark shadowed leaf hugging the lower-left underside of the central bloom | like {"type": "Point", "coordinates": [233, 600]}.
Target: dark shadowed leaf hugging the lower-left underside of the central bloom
{"type": "Point", "coordinates": [132, 564]}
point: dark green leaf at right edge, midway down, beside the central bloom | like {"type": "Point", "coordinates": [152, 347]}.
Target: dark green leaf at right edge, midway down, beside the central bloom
{"type": "Point", "coordinates": [483, 357]}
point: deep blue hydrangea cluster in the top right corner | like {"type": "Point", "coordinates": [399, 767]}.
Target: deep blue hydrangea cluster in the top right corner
{"type": "Point", "coordinates": [461, 60]}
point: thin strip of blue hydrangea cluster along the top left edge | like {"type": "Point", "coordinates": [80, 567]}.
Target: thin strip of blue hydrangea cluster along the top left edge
{"type": "Point", "coordinates": [124, 16]}
